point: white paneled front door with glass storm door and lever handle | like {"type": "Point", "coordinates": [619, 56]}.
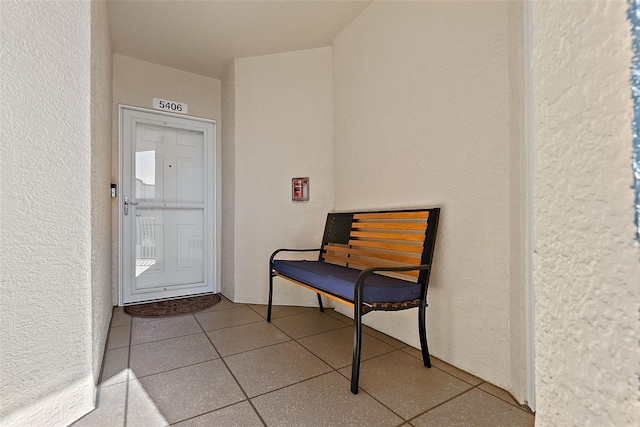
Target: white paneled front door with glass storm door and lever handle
{"type": "Point", "coordinates": [166, 204]}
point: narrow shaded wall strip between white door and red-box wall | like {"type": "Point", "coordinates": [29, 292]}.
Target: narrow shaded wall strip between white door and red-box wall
{"type": "Point", "coordinates": [228, 181]}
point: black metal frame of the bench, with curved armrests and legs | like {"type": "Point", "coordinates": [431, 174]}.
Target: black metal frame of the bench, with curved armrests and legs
{"type": "Point", "coordinates": [338, 229]}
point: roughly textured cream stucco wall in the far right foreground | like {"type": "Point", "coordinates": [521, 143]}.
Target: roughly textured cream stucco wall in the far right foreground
{"type": "Point", "coordinates": [586, 262]}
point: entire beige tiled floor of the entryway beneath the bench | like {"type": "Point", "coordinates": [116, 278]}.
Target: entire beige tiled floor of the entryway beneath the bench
{"type": "Point", "coordinates": [227, 366]}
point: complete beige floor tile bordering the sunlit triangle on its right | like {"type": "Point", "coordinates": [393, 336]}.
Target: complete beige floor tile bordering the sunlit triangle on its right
{"type": "Point", "coordinates": [193, 390]}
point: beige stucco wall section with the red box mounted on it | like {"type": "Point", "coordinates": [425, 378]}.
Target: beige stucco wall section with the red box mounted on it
{"type": "Point", "coordinates": [284, 128]}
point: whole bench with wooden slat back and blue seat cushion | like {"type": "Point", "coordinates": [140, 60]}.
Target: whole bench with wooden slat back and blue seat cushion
{"type": "Point", "coordinates": [370, 261]}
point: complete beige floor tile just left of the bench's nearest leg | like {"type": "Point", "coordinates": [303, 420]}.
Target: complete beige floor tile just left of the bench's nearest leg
{"type": "Point", "coordinates": [267, 369]}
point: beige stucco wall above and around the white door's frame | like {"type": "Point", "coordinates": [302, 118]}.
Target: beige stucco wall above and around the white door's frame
{"type": "Point", "coordinates": [136, 83]}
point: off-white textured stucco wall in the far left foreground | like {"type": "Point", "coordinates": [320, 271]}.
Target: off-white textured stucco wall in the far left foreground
{"type": "Point", "coordinates": [46, 209]}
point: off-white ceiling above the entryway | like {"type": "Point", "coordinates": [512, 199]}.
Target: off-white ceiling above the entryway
{"type": "Point", "coordinates": [203, 36]}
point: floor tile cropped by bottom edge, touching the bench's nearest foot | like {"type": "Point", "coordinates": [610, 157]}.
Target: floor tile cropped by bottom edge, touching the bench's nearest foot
{"type": "Point", "coordinates": [322, 401]}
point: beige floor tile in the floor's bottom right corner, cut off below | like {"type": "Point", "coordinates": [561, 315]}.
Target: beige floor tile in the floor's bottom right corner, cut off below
{"type": "Point", "coordinates": [478, 409]}
